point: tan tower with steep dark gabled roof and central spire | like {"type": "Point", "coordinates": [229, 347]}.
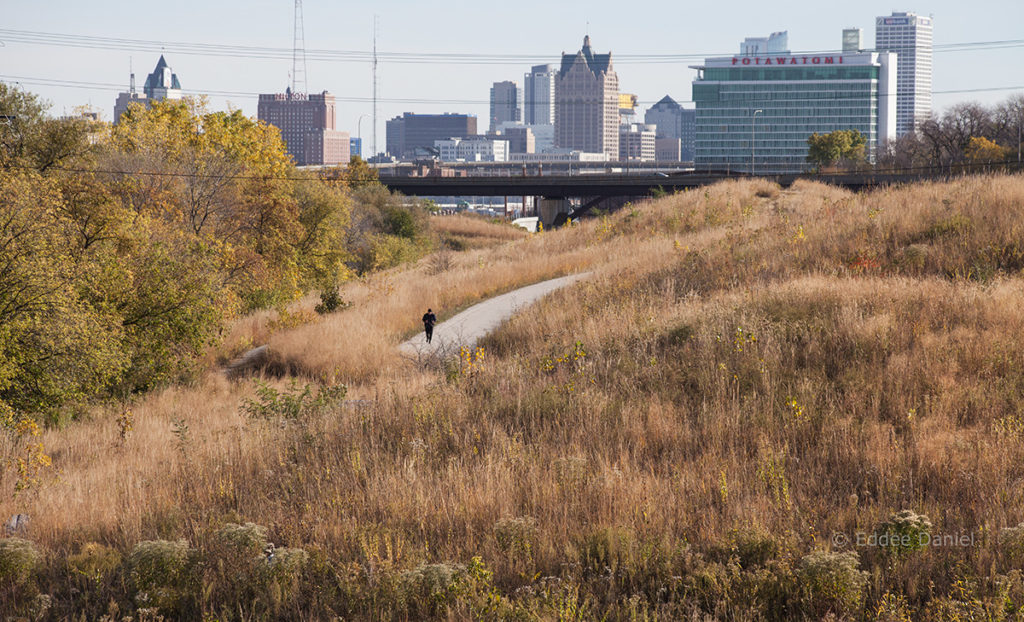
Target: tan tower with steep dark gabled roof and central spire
{"type": "Point", "coordinates": [587, 103]}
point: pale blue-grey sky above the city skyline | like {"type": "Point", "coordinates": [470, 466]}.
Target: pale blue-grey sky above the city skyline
{"type": "Point", "coordinates": [444, 57]}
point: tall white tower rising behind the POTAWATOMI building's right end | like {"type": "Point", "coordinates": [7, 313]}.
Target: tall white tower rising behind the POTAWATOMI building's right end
{"type": "Point", "coordinates": [910, 36]}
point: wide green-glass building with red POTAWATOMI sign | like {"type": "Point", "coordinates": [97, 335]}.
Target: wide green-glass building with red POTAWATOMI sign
{"type": "Point", "coordinates": [756, 113]}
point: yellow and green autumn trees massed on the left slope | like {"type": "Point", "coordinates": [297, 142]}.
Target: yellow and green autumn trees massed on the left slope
{"type": "Point", "coordinates": [124, 250]}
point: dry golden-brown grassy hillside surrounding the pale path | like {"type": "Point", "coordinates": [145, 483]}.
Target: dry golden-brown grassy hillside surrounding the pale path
{"type": "Point", "coordinates": [728, 421]}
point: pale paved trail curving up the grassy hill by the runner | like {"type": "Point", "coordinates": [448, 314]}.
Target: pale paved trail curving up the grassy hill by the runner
{"type": "Point", "coordinates": [467, 327]}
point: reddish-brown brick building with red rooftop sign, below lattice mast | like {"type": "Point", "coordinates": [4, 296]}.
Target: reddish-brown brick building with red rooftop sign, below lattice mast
{"type": "Point", "coordinates": [307, 125]}
